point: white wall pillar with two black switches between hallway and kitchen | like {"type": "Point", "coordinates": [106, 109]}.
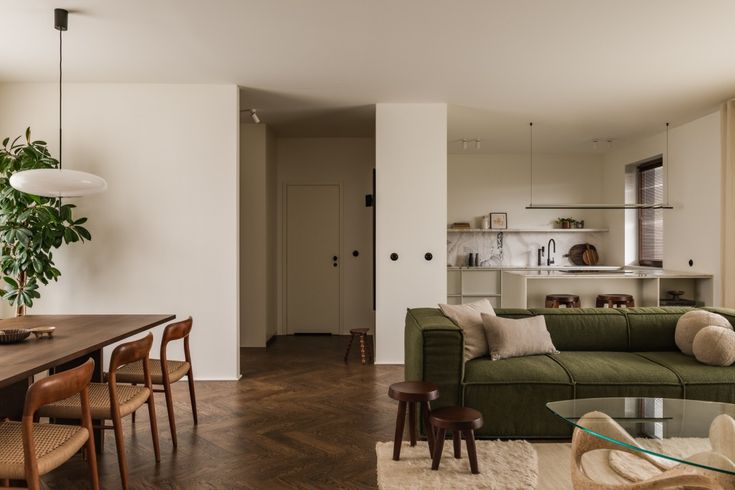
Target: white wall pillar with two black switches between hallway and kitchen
{"type": "Point", "coordinates": [411, 200]}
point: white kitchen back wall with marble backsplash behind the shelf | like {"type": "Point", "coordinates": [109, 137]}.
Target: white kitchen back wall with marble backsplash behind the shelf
{"type": "Point", "coordinates": [479, 184]}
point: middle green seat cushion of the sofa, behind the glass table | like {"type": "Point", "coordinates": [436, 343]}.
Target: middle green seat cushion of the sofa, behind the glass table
{"type": "Point", "coordinates": [603, 374]}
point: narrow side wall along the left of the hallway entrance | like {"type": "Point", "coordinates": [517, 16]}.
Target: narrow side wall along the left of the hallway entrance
{"type": "Point", "coordinates": [257, 235]}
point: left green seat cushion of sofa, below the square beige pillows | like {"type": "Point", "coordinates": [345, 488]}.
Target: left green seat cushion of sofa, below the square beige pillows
{"type": "Point", "coordinates": [539, 369]}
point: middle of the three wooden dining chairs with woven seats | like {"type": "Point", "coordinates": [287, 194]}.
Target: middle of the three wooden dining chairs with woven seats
{"type": "Point", "coordinates": [111, 401]}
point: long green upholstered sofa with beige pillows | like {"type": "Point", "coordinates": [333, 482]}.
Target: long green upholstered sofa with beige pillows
{"type": "Point", "coordinates": [604, 352]}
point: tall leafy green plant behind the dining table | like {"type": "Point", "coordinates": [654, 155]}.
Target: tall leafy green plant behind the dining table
{"type": "Point", "coordinates": [31, 227]}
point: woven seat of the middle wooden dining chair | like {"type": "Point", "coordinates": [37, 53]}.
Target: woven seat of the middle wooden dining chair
{"type": "Point", "coordinates": [130, 398]}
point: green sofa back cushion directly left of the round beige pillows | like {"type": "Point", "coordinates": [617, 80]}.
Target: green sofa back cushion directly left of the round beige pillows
{"type": "Point", "coordinates": [652, 328]}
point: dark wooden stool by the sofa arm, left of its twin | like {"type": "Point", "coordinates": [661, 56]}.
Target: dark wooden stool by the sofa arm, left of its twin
{"type": "Point", "coordinates": [412, 392]}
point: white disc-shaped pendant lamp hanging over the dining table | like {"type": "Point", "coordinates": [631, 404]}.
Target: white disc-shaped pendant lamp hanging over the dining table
{"type": "Point", "coordinates": [58, 182]}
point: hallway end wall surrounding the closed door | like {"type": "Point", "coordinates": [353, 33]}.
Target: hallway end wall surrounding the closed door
{"type": "Point", "coordinates": [348, 162]}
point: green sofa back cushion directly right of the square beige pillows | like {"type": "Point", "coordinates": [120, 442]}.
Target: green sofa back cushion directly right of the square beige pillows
{"type": "Point", "coordinates": [580, 329]}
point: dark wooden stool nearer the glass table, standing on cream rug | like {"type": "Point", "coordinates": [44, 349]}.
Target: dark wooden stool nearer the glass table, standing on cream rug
{"type": "Point", "coordinates": [458, 420]}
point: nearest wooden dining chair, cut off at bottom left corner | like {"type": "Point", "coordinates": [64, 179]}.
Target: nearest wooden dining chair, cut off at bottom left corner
{"type": "Point", "coordinates": [29, 449]}
